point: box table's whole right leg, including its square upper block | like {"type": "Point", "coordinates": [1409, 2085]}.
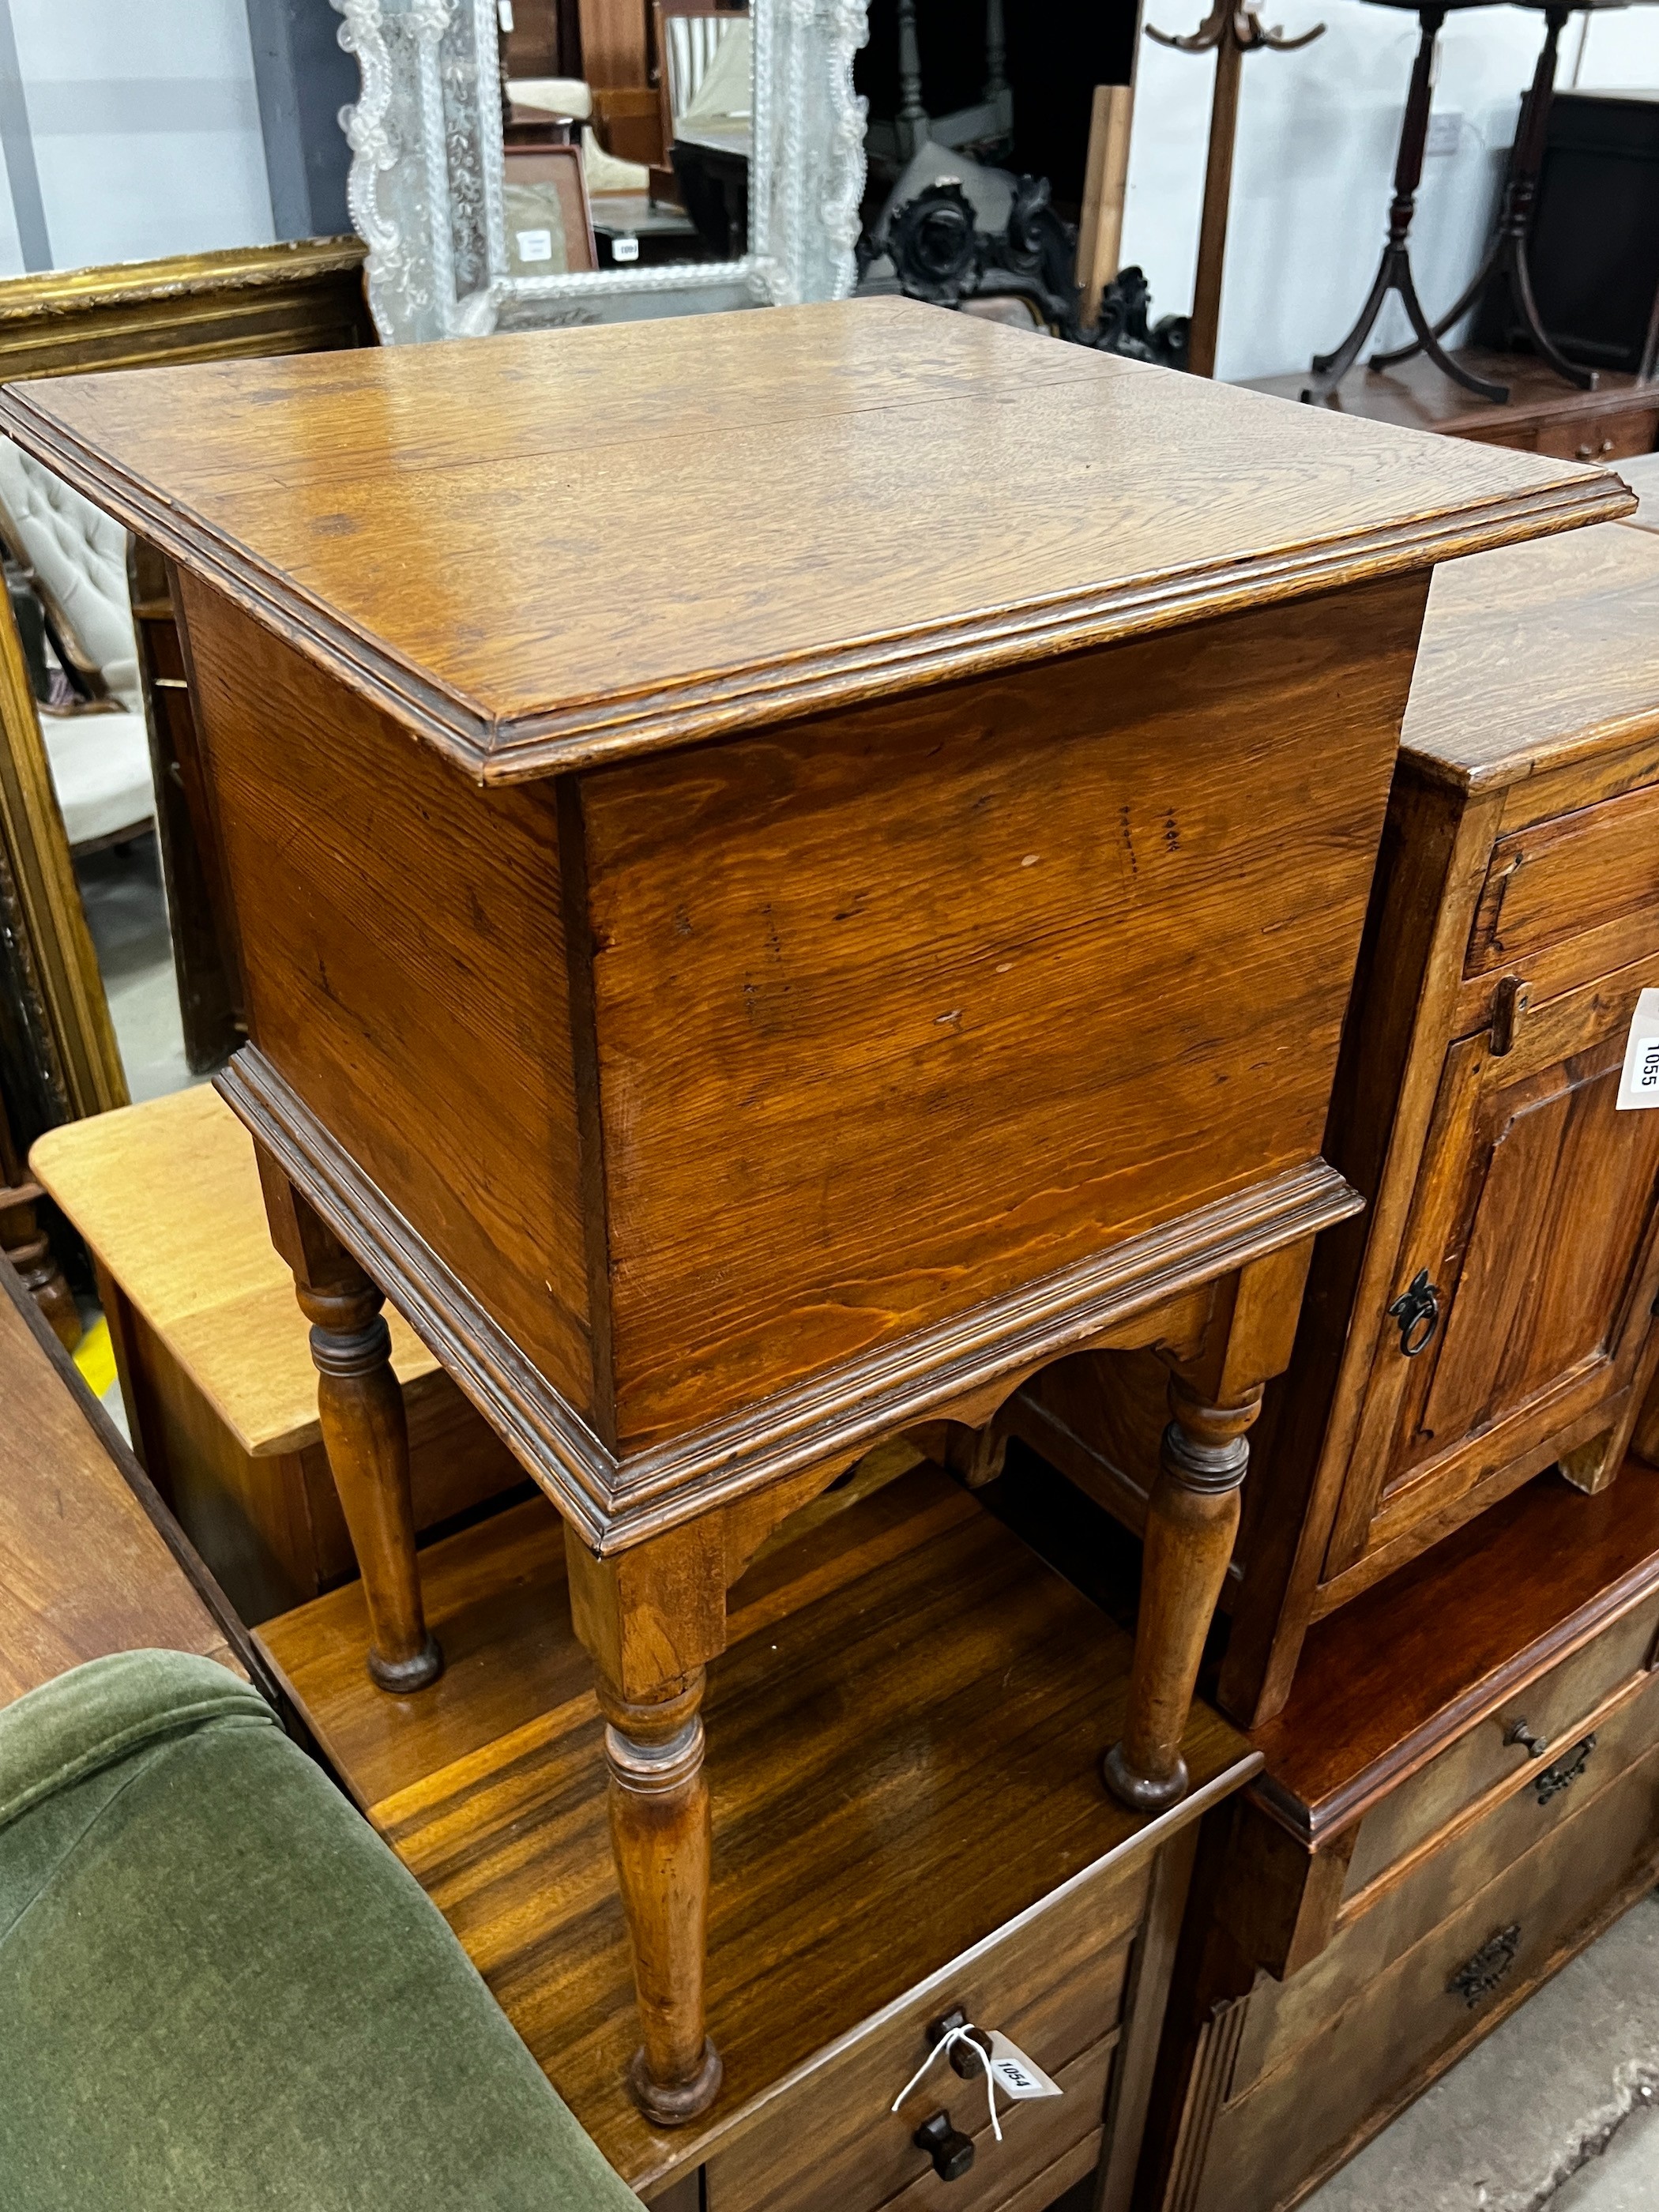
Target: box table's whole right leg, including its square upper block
{"type": "Point", "coordinates": [1193, 1519]}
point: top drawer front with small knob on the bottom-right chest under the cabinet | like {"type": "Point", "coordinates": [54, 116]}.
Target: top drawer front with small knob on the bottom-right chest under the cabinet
{"type": "Point", "coordinates": [1556, 1709]}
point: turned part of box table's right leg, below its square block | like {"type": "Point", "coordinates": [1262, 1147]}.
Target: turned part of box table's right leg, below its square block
{"type": "Point", "coordinates": [1191, 1523]}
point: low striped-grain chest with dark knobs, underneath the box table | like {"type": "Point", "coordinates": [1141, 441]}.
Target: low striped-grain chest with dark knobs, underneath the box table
{"type": "Point", "coordinates": [906, 1786]}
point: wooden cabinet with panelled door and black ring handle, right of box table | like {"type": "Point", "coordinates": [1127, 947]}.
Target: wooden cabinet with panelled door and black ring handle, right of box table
{"type": "Point", "coordinates": [1490, 1315]}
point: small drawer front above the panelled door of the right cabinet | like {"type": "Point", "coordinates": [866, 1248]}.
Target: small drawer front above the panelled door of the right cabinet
{"type": "Point", "coordinates": [1565, 877]}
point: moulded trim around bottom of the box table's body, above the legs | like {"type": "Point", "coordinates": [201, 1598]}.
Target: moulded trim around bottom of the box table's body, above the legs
{"type": "Point", "coordinates": [620, 1503]}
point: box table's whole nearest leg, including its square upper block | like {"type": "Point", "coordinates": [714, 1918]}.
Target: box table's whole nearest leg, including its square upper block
{"type": "Point", "coordinates": [651, 1618]}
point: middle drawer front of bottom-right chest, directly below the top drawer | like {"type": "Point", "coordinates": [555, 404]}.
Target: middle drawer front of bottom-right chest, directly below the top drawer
{"type": "Point", "coordinates": [1288, 2018]}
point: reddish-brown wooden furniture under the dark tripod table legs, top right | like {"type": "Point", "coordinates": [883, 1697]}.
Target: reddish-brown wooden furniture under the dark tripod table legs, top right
{"type": "Point", "coordinates": [1543, 415]}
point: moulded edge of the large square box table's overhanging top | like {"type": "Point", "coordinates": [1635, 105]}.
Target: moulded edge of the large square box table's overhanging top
{"type": "Point", "coordinates": [727, 702]}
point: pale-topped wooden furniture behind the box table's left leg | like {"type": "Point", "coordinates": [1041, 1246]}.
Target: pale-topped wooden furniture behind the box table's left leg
{"type": "Point", "coordinates": [213, 1357]}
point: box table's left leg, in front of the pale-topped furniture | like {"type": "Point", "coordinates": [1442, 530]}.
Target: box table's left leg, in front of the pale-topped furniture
{"type": "Point", "coordinates": [366, 1437]}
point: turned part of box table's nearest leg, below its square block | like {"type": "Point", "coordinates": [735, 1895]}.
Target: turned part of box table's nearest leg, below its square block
{"type": "Point", "coordinates": [662, 1839]}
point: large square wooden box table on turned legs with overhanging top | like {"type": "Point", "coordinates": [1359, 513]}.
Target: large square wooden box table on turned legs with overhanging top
{"type": "Point", "coordinates": [791, 870]}
